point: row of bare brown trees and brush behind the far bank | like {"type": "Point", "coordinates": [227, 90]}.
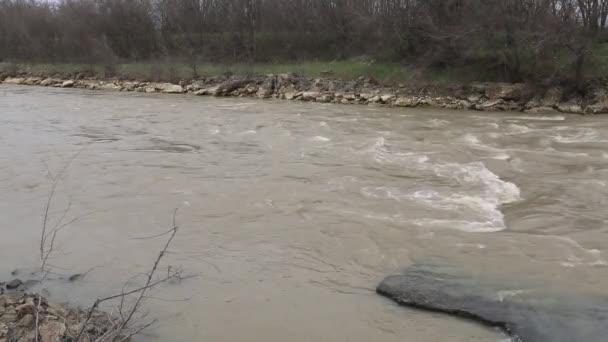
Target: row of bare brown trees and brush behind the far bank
{"type": "Point", "coordinates": [512, 40]}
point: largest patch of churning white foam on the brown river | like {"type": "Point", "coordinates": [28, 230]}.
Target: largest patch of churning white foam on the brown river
{"type": "Point", "coordinates": [481, 197]}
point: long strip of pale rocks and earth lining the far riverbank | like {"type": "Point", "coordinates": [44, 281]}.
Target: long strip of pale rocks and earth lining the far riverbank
{"type": "Point", "coordinates": [476, 96]}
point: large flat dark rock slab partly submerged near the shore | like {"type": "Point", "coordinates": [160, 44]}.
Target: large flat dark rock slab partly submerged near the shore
{"type": "Point", "coordinates": [528, 315]}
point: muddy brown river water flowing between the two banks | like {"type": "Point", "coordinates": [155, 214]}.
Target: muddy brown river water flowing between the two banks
{"type": "Point", "coordinates": [291, 213]}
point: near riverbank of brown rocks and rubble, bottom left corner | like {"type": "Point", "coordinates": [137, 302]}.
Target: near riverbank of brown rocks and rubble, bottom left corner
{"type": "Point", "coordinates": [23, 315]}
